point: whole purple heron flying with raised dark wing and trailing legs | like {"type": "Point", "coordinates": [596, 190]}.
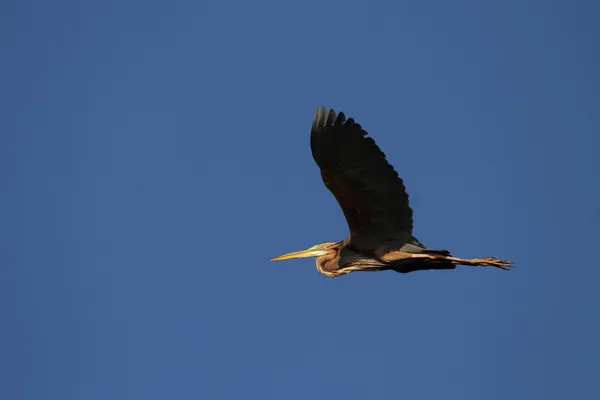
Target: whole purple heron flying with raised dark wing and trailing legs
{"type": "Point", "coordinates": [375, 203]}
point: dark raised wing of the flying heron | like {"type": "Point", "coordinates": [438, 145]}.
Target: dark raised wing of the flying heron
{"type": "Point", "coordinates": [368, 189]}
